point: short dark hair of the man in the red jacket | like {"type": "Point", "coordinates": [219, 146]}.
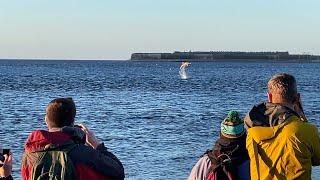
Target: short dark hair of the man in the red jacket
{"type": "Point", "coordinates": [61, 112]}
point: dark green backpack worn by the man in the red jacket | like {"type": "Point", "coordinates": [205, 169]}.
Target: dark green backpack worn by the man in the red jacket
{"type": "Point", "coordinates": [53, 163]}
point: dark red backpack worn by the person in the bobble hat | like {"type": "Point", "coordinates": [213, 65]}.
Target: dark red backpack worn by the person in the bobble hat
{"type": "Point", "coordinates": [222, 167]}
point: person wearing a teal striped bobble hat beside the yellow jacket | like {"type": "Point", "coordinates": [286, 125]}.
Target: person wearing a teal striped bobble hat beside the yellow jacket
{"type": "Point", "coordinates": [231, 146]}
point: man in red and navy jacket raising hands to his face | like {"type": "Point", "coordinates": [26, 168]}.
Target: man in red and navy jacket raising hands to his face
{"type": "Point", "coordinates": [89, 156]}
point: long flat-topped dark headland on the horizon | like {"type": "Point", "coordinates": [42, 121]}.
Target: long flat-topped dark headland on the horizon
{"type": "Point", "coordinates": [235, 56]}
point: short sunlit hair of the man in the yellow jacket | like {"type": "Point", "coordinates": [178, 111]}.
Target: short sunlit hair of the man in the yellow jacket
{"type": "Point", "coordinates": [284, 85]}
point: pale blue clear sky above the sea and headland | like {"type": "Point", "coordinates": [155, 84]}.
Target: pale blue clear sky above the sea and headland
{"type": "Point", "coordinates": [114, 29]}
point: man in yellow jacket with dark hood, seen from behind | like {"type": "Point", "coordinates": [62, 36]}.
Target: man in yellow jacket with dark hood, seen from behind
{"type": "Point", "coordinates": [280, 142]}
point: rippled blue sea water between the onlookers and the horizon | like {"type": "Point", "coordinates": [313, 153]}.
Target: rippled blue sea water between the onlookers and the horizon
{"type": "Point", "coordinates": [155, 122]}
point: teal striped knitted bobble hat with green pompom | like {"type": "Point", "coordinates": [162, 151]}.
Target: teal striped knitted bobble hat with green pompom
{"type": "Point", "coordinates": [232, 125]}
